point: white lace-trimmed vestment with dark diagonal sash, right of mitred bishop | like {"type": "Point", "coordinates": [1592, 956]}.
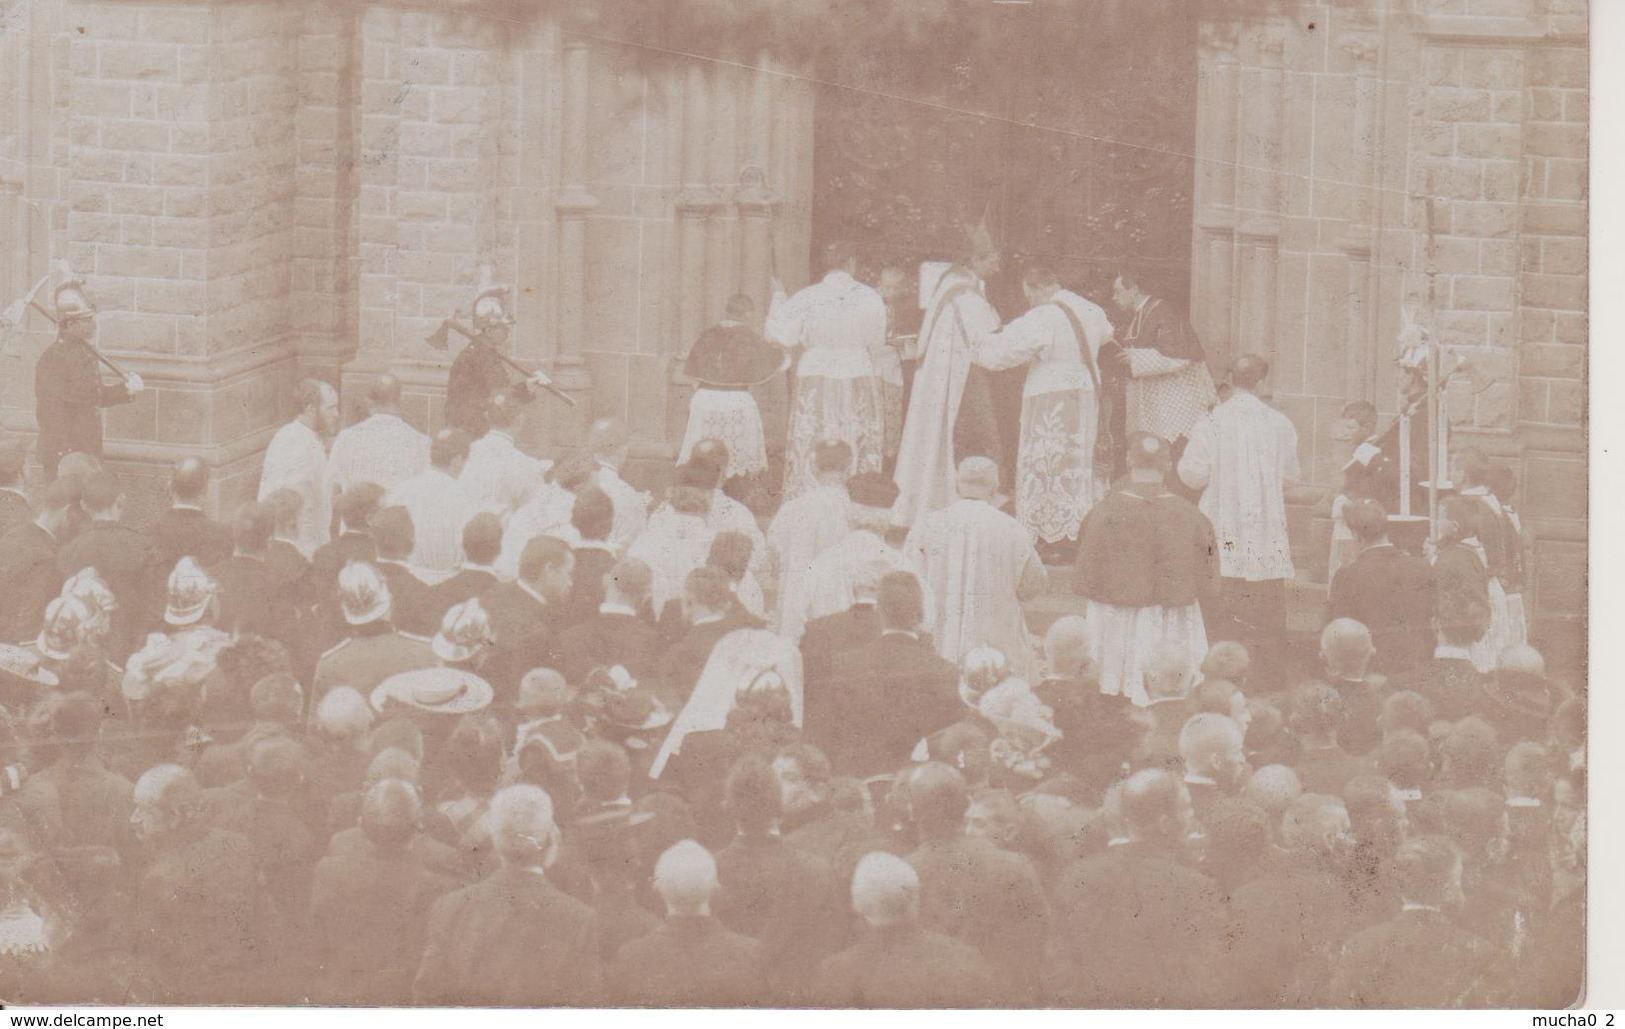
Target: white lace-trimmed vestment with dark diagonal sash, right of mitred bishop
{"type": "Point", "coordinates": [1055, 479]}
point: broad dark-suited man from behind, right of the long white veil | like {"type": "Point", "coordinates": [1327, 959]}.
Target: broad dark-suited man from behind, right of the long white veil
{"type": "Point", "coordinates": [898, 688]}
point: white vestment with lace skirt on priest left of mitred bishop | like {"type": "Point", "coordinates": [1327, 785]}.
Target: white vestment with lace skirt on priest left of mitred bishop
{"type": "Point", "coordinates": [838, 321]}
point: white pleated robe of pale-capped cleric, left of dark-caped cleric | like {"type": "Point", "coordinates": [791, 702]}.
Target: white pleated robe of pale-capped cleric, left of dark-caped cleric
{"type": "Point", "coordinates": [977, 567]}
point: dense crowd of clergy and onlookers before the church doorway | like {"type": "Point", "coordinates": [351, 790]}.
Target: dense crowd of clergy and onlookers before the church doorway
{"type": "Point", "coordinates": [436, 721]}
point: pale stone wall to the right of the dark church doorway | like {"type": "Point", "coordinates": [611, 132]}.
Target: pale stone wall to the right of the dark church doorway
{"type": "Point", "coordinates": [1361, 160]}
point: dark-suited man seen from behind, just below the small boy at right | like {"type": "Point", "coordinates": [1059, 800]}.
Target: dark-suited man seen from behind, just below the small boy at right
{"type": "Point", "coordinates": [1387, 591]}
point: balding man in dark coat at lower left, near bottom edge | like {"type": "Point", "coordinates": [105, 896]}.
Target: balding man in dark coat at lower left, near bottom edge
{"type": "Point", "coordinates": [199, 901]}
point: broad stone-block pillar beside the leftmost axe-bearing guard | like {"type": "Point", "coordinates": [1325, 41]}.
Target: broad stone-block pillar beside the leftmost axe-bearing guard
{"type": "Point", "coordinates": [181, 181]}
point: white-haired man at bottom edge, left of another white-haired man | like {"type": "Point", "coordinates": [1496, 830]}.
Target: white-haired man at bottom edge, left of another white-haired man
{"type": "Point", "coordinates": [691, 962]}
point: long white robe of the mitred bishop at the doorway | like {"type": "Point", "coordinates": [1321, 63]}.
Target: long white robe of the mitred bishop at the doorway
{"type": "Point", "coordinates": [956, 323]}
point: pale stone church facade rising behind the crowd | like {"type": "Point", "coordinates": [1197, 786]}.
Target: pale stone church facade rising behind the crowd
{"type": "Point", "coordinates": [261, 191]}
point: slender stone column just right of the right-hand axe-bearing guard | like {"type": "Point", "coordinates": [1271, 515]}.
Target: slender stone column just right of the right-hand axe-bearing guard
{"type": "Point", "coordinates": [574, 202]}
